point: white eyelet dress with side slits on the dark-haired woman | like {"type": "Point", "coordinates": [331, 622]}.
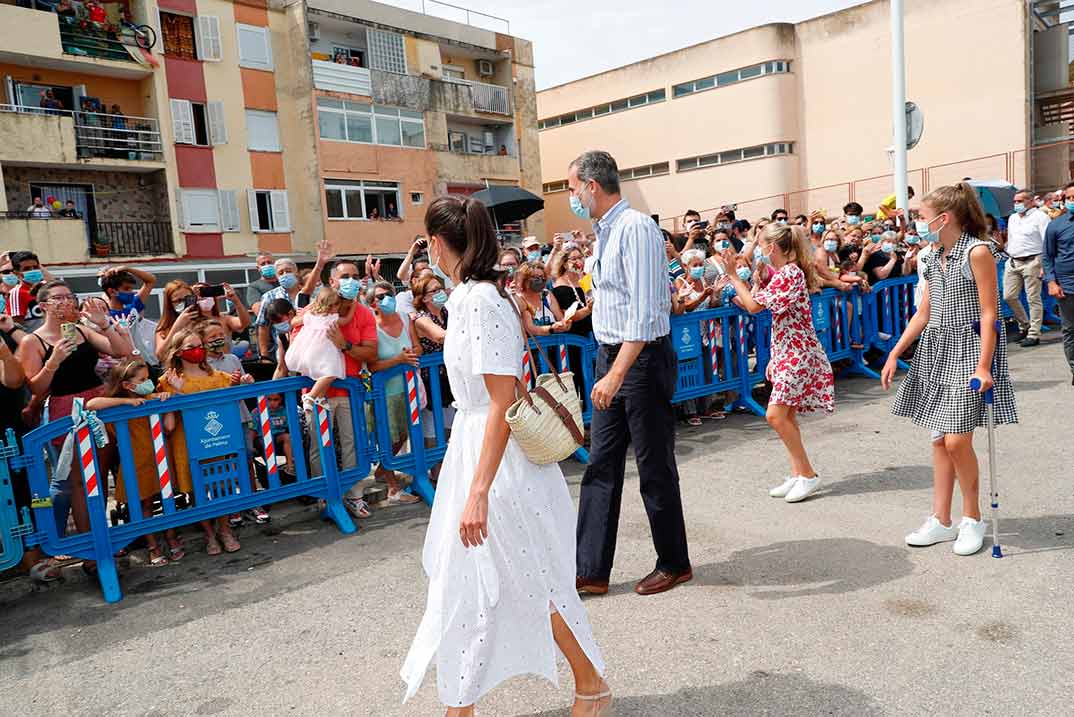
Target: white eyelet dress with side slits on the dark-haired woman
{"type": "Point", "coordinates": [488, 613]}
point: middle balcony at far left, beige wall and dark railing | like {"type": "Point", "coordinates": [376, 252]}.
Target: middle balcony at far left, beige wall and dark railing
{"type": "Point", "coordinates": [50, 137]}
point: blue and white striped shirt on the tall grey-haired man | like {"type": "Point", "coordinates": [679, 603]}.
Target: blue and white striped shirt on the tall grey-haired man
{"type": "Point", "coordinates": [632, 301]}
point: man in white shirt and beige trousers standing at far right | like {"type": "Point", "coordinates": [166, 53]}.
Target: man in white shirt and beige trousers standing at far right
{"type": "Point", "coordinates": [1025, 245]}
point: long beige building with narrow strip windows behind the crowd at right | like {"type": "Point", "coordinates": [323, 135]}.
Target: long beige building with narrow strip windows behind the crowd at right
{"type": "Point", "coordinates": [799, 116]}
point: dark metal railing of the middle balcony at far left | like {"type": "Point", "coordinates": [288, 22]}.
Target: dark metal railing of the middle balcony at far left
{"type": "Point", "coordinates": [105, 136]}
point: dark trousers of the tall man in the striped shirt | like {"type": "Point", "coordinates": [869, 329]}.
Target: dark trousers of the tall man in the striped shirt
{"type": "Point", "coordinates": [641, 414]}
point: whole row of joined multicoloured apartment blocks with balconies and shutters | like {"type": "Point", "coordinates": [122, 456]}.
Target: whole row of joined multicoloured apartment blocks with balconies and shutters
{"type": "Point", "coordinates": [230, 127]}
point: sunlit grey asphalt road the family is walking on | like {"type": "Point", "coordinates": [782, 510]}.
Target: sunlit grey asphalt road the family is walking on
{"type": "Point", "coordinates": [815, 609]}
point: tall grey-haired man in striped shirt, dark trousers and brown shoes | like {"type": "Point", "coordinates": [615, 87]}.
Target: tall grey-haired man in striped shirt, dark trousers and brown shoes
{"type": "Point", "coordinates": [636, 378]}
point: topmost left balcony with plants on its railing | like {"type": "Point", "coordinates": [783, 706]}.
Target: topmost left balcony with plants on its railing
{"type": "Point", "coordinates": [49, 41]}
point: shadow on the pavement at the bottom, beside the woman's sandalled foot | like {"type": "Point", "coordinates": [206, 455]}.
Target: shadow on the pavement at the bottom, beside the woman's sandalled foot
{"type": "Point", "coordinates": [761, 694]}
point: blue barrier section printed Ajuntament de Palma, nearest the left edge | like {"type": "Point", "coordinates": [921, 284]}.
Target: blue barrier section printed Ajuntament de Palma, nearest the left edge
{"type": "Point", "coordinates": [222, 481]}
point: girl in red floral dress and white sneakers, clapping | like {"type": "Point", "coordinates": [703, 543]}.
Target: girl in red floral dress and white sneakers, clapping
{"type": "Point", "coordinates": [800, 371]}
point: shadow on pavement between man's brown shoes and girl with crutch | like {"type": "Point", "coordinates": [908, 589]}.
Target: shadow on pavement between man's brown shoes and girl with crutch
{"type": "Point", "coordinates": [800, 568]}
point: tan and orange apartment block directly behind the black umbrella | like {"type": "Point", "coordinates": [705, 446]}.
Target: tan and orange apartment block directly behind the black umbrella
{"type": "Point", "coordinates": [411, 107]}
